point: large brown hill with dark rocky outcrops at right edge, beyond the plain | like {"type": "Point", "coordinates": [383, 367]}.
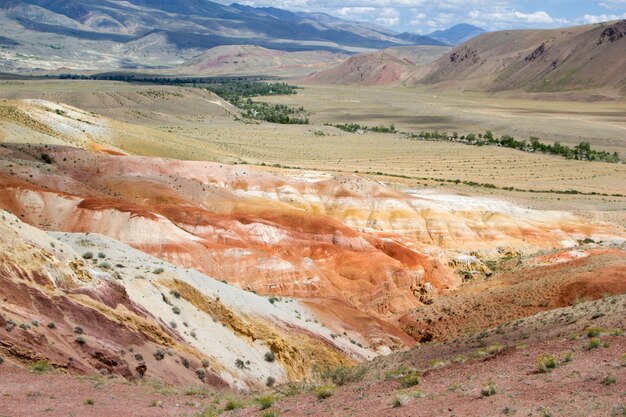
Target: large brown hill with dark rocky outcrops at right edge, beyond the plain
{"type": "Point", "coordinates": [590, 57]}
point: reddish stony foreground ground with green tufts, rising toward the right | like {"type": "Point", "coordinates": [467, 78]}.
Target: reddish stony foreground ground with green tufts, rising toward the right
{"type": "Point", "coordinates": [494, 373]}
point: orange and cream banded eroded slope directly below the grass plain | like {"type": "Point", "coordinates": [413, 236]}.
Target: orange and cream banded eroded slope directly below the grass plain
{"type": "Point", "coordinates": [349, 239]}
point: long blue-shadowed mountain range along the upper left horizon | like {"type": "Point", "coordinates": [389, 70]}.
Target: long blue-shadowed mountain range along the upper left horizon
{"type": "Point", "coordinates": [48, 35]}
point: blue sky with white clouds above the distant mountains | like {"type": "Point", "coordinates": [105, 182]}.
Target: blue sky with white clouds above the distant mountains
{"type": "Point", "coordinates": [425, 16]}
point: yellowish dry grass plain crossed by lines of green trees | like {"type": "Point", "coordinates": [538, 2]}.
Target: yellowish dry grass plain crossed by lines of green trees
{"type": "Point", "coordinates": [189, 124]}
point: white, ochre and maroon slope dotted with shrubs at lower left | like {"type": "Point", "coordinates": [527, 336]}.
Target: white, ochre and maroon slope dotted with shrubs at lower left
{"type": "Point", "coordinates": [123, 312]}
